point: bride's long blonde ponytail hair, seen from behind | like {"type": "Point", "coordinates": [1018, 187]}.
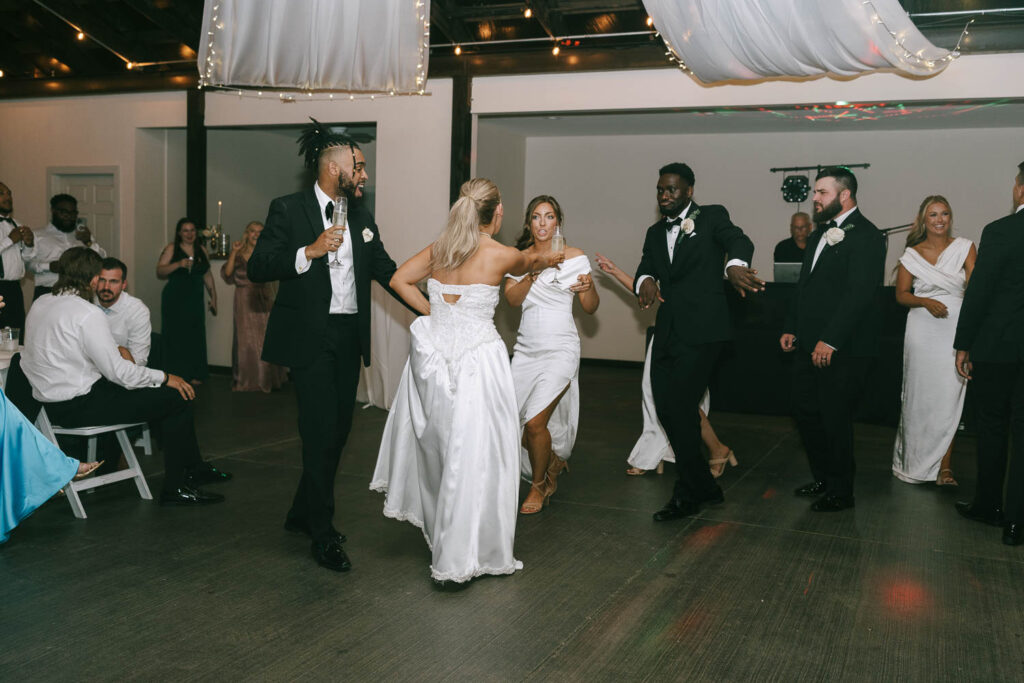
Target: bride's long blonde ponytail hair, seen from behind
{"type": "Point", "coordinates": [479, 200]}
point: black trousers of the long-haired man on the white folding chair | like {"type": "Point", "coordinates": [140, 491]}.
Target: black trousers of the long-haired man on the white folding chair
{"type": "Point", "coordinates": [109, 404]}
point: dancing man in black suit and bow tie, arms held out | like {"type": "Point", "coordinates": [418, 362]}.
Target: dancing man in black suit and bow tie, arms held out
{"type": "Point", "coordinates": [681, 267]}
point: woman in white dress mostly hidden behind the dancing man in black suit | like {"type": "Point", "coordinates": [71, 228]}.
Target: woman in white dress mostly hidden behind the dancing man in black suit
{"type": "Point", "coordinates": [653, 449]}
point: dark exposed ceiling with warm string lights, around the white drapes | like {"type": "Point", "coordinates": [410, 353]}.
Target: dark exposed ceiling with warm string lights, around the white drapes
{"type": "Point", "coordinates": [41, 52]}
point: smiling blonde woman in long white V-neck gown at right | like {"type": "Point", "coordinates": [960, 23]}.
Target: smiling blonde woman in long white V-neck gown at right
{"type": "Point", "coordinates": [931, 278]}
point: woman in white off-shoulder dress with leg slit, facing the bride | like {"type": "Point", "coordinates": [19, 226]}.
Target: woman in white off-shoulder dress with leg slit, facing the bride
{"type": "Point", "coordinates": [546, 358]}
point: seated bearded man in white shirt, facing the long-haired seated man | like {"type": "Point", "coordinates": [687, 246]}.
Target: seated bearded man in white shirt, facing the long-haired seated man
{"type": "Point", "coordinates": [127, 316]}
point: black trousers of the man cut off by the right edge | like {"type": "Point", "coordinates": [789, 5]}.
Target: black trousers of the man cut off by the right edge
{"type": "Point", "coordinates": [999, 398]}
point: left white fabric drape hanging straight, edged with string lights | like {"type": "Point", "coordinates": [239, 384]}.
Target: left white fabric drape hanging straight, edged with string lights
{"type": "Point", "coordinates": [356, 46]}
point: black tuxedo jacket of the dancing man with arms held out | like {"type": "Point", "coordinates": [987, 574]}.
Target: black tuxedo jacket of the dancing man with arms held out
{"type": "Point", "coordinates": [695, 311]}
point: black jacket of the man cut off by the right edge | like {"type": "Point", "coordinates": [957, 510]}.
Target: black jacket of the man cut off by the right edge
{"type": "Point", "coordinates": [992, 320]}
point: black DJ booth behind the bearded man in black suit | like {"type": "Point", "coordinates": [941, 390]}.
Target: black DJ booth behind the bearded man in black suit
{"type": "Point", "coordinates": [754, 375]}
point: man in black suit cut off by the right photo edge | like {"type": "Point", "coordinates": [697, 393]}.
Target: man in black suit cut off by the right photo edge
{"type": "Point", "coordinates": [990, 347]}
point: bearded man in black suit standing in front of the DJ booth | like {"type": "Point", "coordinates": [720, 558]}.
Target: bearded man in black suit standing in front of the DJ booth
{"type": "Point", "coordinates": [834, 328]}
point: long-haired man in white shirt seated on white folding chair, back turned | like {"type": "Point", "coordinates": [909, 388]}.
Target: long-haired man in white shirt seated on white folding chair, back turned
{"type": "Point", "coordinates": [73, 365]}
